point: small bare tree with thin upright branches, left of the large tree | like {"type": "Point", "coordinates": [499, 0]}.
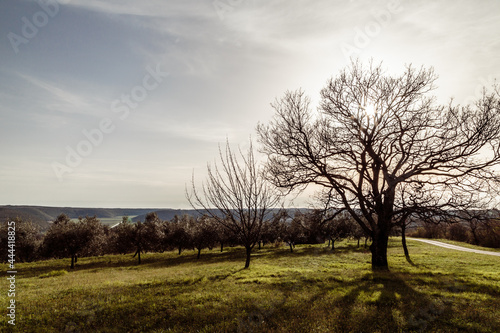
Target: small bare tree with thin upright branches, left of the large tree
{"type": "Point", "coordinates": [236, 196]}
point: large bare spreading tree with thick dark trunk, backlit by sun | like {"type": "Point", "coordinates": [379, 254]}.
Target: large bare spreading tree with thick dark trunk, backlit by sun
{"type": "Point", "coordinates": [383, 147]}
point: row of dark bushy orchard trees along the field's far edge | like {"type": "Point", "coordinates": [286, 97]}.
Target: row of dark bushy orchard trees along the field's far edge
{"type": "Point", "coordinates": [88, 237]}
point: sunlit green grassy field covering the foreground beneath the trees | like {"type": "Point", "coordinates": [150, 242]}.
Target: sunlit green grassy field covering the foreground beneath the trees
{"type": "Point", "coordinates": [311, 290]}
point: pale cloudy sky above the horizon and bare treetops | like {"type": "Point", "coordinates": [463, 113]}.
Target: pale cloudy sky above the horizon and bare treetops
{"type": "Point", "coordinates": [117, 103]}
